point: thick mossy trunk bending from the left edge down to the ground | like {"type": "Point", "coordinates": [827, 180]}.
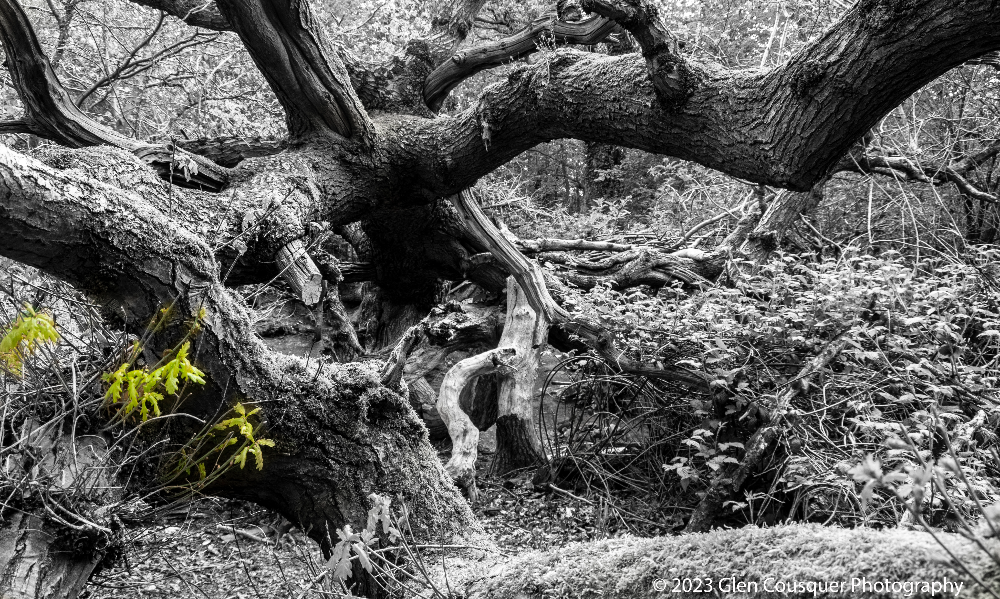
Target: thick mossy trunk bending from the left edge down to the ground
{"type": "Point", "coordinates": [340, 434]}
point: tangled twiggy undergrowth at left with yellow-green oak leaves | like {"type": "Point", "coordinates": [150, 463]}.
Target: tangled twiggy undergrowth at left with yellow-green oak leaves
{"type": "Point", "coordinates": [84, 407]}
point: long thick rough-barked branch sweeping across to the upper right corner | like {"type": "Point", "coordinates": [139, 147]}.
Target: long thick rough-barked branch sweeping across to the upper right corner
{"type": "Point", "coordinates": [785, 127]}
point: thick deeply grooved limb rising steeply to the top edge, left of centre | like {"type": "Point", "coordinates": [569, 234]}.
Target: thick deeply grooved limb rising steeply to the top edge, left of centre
{"type": "Point", "coordinates": [305, 72]}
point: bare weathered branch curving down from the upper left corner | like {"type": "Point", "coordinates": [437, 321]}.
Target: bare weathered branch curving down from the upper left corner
{"type": "Point", "coordinates": [52, 114]}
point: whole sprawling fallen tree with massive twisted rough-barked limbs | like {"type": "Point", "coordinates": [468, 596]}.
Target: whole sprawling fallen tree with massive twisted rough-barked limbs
{"type": "Point", "coordinates": [159, 235]}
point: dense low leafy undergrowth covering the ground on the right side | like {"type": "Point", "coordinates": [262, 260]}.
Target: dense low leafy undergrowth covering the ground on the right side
{"type": "Point", "coordinates": [920, 365]}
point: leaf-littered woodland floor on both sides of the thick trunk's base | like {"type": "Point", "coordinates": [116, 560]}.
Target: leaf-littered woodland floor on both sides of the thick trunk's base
{"type": "Point", "coordinates": [222, 549]}
